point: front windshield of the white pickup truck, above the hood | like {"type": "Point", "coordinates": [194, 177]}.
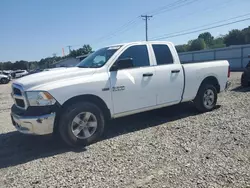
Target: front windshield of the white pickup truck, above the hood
{"type": "Point", "coordinates": [98, 58]}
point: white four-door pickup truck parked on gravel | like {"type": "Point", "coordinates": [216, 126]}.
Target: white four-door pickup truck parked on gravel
{"type": "Point", "coordinates": [112, 82]}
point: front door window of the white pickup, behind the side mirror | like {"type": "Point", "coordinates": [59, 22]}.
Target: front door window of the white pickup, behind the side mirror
{"type": "Point", "coordinates": [138, 53]}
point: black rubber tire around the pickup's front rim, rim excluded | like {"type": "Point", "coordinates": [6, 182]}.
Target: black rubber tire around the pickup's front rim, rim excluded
{"type": "Point", "coordinates": [66, 120]}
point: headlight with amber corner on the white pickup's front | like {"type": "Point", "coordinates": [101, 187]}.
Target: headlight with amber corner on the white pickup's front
{"type": "Point", "coordinates": [40, 98]}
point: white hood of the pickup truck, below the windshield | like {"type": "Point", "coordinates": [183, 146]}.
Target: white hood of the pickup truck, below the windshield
{"type": "Point", "coordinates": [43, 78]}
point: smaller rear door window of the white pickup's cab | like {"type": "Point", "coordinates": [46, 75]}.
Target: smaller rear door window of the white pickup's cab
{"type": "Point", "coordinates": [163, 54]}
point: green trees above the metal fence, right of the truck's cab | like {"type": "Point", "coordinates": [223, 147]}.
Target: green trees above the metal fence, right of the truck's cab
{"type": "Point", "coordinates": [207, 41]}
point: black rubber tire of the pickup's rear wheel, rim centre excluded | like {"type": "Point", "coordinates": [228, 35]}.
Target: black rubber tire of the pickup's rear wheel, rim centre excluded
{"type": "Point", "coordinates": [199, 100]}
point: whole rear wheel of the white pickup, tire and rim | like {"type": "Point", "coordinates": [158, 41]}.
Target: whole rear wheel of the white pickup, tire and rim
{"type": "Point", "coordinates": [206, 98]}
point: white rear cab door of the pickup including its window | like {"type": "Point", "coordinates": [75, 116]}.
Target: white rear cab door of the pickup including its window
{"type": "Point", "coordinates": [169, 74]}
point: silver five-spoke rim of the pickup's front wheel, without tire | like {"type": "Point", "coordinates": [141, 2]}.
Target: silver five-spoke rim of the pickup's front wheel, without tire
{"type": "Point", "coordinates": [84, 125]}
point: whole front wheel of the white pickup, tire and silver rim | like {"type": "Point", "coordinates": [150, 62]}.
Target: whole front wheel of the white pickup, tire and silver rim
{"type": "Point", "coordinates": [81, 124]}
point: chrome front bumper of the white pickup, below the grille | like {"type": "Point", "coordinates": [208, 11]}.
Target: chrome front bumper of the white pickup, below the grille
{"type": "Point", "coordinates": [38, 125]}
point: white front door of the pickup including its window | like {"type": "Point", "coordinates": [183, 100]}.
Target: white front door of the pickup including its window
{"type": "Point", "coordinates": [134, 88]}
